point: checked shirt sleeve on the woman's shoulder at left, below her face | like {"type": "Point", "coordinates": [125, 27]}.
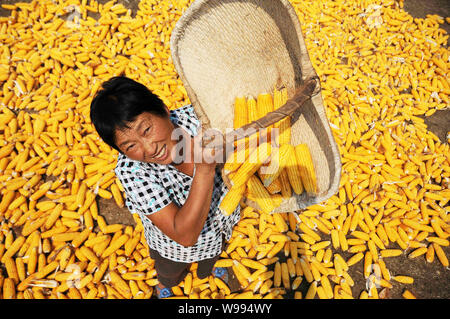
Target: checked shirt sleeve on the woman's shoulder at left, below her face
{"type": "Point", "coordinates": [144, 194]}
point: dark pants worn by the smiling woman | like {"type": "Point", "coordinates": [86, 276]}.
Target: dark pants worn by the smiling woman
{"type": "Point", "coordinates": [170, 273]}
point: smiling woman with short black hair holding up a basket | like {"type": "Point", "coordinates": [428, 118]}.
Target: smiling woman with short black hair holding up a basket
{"type": "Point", "coordinates": [175, 192]}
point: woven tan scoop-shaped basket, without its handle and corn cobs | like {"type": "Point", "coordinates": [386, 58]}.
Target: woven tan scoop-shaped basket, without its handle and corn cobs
{"type": "Point", "coordinates": [223, 49]}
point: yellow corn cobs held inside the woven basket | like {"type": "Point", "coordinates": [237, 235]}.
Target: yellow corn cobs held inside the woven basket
{"type": "Point", "coordinates": [266, 167]}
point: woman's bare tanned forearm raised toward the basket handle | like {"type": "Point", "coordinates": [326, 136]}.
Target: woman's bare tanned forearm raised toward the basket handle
{"type": "Point", "coordinates": [191, 217]}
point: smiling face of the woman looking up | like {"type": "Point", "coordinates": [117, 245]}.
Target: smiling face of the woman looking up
{"type": "Point", "coordinates": [147, 139]}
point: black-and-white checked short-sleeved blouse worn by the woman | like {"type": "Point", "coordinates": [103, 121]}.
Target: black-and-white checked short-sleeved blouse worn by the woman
{"type": "Point", "coordinates": [150, 187]}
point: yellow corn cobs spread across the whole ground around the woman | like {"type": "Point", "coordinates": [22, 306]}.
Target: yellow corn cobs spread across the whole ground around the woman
{"type": "Point", "coordinates": [380, 69]}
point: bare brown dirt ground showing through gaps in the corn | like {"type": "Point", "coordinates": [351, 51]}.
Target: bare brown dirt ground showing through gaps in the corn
{"type": "Point", "coordinates": [431, 281]}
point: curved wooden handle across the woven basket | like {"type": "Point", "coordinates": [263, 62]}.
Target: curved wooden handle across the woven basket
{"type": "Point", "coordinates": [302, 94]}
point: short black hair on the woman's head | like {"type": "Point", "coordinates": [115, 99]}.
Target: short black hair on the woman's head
{"type": "Point", "coordinates": [119, 102]}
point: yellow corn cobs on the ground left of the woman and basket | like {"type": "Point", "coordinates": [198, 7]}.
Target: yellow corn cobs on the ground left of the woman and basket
{"type": "Point", "coordinates": [53, 58]}
